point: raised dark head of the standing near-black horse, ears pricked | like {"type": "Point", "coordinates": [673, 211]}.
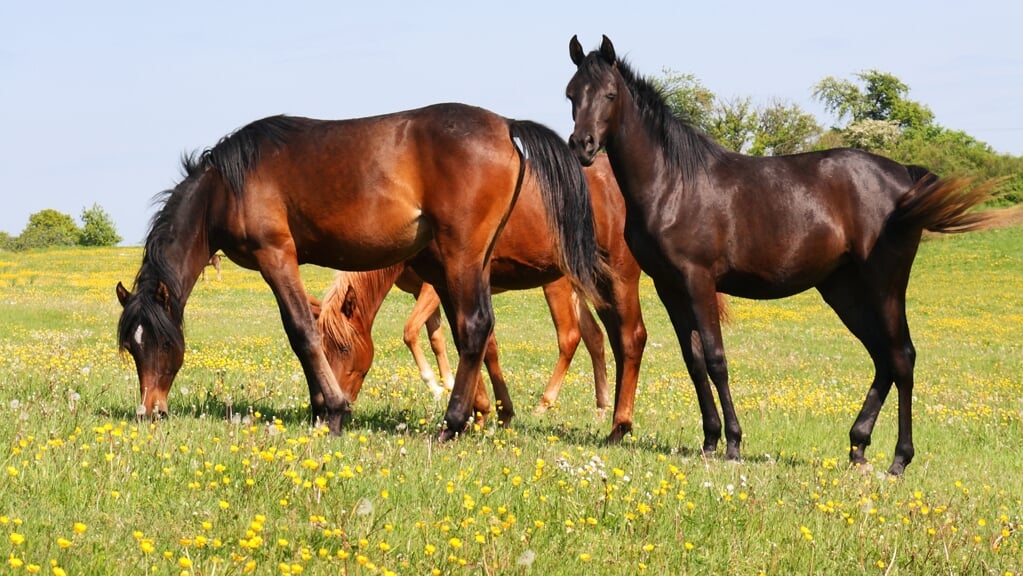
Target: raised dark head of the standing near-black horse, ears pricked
{"type": "Point", "coordinates": [594, 92]}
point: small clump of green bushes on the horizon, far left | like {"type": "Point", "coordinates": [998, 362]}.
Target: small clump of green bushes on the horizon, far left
{"type": "Point", "coordinates": [49, 229]}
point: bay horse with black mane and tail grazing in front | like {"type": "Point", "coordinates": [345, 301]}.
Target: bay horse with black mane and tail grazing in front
{"type": "Point", "coordinates": [433, 187]}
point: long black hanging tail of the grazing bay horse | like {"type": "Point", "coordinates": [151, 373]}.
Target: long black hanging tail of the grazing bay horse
{"type": "Point", "coordinates": [566, 198]}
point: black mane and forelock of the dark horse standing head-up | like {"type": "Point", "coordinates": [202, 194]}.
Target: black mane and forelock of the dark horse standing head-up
{"type": "Point", "coordinates": [687, 149]}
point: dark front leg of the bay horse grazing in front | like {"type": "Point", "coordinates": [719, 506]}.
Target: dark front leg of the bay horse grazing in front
{"type": "Point", "coordinates": [281, 271]}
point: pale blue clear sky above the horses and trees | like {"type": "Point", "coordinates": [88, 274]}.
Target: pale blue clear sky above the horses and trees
{"type": "Point", "coordinates": [100, 100]}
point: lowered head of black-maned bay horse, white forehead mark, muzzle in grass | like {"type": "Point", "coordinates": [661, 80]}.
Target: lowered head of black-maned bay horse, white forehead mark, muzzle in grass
{"type": "Point", "coordinates": [151, 331]}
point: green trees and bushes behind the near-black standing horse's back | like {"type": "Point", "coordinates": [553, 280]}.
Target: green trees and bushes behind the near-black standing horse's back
{"type": "Point", "coordinates": [873, 113]}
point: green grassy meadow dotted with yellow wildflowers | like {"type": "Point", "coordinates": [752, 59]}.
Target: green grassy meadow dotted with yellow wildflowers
{"type": "Point", "coordinates": [238, 481]}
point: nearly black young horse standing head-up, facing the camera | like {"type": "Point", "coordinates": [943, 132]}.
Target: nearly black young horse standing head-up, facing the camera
{"type": "Point", "coordinates": [701, 218]}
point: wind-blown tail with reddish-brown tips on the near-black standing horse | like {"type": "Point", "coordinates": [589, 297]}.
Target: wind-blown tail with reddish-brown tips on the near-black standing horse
{"type": "Point", "coordinates": [945, 205]}
